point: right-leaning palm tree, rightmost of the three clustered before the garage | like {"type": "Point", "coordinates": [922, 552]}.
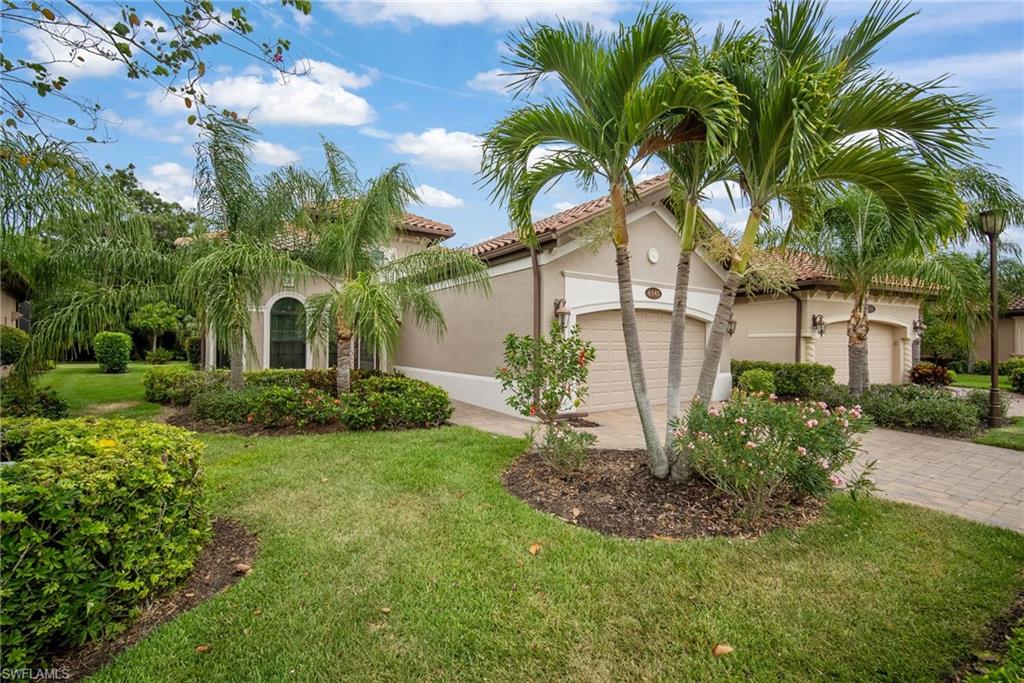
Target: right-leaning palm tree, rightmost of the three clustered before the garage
{"type": "Point", "coordinates": [818, 117]}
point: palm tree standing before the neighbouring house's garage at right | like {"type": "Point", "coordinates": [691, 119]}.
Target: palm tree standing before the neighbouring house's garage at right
{"type": "Point", "coordinates": [859, 247]}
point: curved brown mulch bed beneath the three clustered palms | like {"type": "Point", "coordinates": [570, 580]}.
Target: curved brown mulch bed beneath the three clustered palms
{"type": "Point", "coordinates": [615, 494]}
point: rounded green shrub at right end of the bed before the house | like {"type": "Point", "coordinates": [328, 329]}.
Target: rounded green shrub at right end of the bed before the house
{"type": "Point", "coordinates": [395, 403]}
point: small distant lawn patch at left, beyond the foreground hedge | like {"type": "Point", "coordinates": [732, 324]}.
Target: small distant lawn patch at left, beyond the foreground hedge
{"type": "Point", "coordinates": [91, 392]}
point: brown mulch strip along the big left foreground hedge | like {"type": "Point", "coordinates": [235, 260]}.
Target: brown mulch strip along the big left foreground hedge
{"type": "Point", "coordinates": [217, 569]}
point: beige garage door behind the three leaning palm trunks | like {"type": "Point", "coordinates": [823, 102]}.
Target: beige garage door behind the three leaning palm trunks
{"type": "Point", "coordinates": [610, 375]}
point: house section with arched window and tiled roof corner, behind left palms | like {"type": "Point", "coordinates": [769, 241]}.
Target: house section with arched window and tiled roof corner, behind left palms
{"type": "Point", "coordinates": [278, 332]}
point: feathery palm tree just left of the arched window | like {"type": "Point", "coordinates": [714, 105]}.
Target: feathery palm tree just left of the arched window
{"type": "Point", "coordinates": [242, 252]}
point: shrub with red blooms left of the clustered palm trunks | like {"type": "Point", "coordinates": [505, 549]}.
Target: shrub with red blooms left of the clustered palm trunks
{"type": "Point", "coordinates": [542, 378]}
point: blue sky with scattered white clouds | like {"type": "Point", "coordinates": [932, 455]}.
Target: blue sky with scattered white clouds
{"type": "Point", "coordinates": [419, 82]}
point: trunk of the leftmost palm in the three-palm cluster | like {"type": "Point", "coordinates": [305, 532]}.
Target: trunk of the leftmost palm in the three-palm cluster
{"type": "Point", "coordinates": [657, 460]}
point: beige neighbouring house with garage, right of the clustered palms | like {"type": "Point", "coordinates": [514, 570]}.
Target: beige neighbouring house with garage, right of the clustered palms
{"type": "Point", "coordinates": [808, 325]}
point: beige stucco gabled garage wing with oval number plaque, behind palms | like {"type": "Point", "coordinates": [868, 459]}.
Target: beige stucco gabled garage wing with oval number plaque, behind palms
{"type": "Point", "coordinates": [579, 280]}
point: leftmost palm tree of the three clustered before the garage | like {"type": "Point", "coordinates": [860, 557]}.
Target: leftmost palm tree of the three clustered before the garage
{"type": "Point", "coordinates": [623, 101]}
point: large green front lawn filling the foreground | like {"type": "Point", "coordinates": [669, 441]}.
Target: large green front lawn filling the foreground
{"type": "Point", "coordinates": [400, 557]}
